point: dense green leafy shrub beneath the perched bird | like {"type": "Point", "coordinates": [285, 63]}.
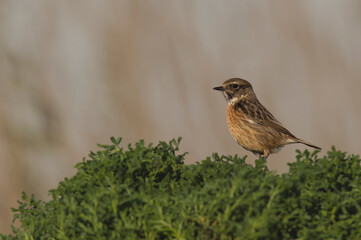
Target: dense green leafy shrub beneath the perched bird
{"type": "Point", "coordinates": [147, 192]}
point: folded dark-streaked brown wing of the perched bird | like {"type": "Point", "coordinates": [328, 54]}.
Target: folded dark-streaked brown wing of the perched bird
{"type": "Point", "coordinates": [257, 113]}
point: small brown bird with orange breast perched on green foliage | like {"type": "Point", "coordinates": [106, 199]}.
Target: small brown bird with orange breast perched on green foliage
{"type": "Point", "coordinates": [250, 123]}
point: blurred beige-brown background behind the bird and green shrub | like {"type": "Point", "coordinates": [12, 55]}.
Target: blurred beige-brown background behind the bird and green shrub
{"type": "Point", "coordinates": [74, 73]}
